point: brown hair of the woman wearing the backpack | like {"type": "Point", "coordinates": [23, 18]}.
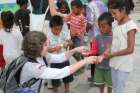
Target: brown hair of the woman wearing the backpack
{"type": "Point", "coordinates": [33, 44]}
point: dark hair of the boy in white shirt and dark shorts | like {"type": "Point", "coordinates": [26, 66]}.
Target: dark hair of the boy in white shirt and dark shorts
{"type": "Point", "coordinates": [56, 21]}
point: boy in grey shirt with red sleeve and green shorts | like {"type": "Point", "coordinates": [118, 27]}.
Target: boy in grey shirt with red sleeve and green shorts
{"type": "Point", "coordinates": [103, 42]}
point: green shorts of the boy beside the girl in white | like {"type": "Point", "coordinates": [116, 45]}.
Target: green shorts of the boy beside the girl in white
{"type": "Point", "coordinates": [103, 76]}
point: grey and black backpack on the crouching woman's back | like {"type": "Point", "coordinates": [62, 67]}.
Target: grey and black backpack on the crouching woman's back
{"type": "Point", "coordinates": [10, 77]}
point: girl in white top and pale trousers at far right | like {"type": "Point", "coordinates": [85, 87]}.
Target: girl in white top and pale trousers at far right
{"type": "Point", "coordinates": [124, 30]}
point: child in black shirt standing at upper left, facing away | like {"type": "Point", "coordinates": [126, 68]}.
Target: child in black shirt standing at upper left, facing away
{"type": "Point", "coordinates": [22, 17]}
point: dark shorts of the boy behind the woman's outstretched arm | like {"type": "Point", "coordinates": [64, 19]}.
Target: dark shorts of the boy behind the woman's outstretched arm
{"type": "Point", "coordinates": [68, 79]}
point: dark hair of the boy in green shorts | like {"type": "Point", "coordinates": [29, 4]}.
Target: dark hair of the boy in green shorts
{"type": "Point", "coordinates": [106, 16]}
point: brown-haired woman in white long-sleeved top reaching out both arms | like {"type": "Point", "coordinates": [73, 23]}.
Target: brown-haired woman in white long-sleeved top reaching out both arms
{"type": "Point", "coordinates": [35, 45]}
